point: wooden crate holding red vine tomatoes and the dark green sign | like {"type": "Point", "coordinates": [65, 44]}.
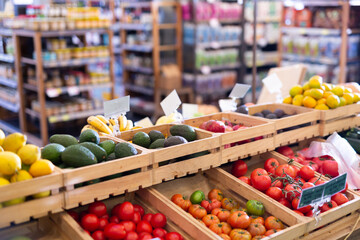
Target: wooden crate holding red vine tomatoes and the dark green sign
{"type": "Point", "coordinates": [309, 224]}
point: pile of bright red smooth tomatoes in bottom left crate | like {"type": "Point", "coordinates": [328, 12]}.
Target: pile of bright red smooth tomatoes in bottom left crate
{"type": "Point", "coordinates": [127, 221]}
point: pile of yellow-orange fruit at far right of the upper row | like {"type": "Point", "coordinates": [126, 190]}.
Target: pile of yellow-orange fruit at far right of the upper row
{"type": "Point", "coordinates": [322, 96]}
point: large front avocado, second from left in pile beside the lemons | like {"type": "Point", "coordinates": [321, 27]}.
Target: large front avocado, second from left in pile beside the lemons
{"type": "Point", "coordinates": [78, 156]}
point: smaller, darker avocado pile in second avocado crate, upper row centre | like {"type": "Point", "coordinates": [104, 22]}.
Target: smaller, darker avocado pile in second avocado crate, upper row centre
{"type": "Point", "coordinates": [180, 134]}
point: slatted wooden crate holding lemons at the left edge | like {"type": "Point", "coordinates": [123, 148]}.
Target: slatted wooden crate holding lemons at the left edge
{"type": "Point", "coordinates": [32, 208]}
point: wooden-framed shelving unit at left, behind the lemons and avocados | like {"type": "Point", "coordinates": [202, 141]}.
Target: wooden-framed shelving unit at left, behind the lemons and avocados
{"type": "Point", "coordinates": [40, 89]}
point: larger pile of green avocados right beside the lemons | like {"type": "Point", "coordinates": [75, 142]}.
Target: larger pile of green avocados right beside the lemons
{"type": "Point", "coordinates": [65, 151]}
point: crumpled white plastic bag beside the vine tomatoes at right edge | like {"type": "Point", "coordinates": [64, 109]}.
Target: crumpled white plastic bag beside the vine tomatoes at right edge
{"type": "Point", "coordinates": [346, 157]}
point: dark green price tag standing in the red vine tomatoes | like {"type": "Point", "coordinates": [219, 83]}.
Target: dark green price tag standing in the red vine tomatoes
{"type": "Point", "coordinates": [322, 192]}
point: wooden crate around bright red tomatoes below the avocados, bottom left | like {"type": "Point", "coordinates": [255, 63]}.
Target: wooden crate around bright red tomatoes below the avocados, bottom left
{"type": "Point", "coordinates": [67, 222]}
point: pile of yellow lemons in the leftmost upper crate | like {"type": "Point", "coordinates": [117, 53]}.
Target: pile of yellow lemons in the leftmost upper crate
{"type": "Point", "coordinates": [19, 162]}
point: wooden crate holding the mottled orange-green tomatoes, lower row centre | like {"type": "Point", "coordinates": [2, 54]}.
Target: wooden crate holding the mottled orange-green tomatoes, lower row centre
{"type": "Point", "coordinates": [161, 194]}
